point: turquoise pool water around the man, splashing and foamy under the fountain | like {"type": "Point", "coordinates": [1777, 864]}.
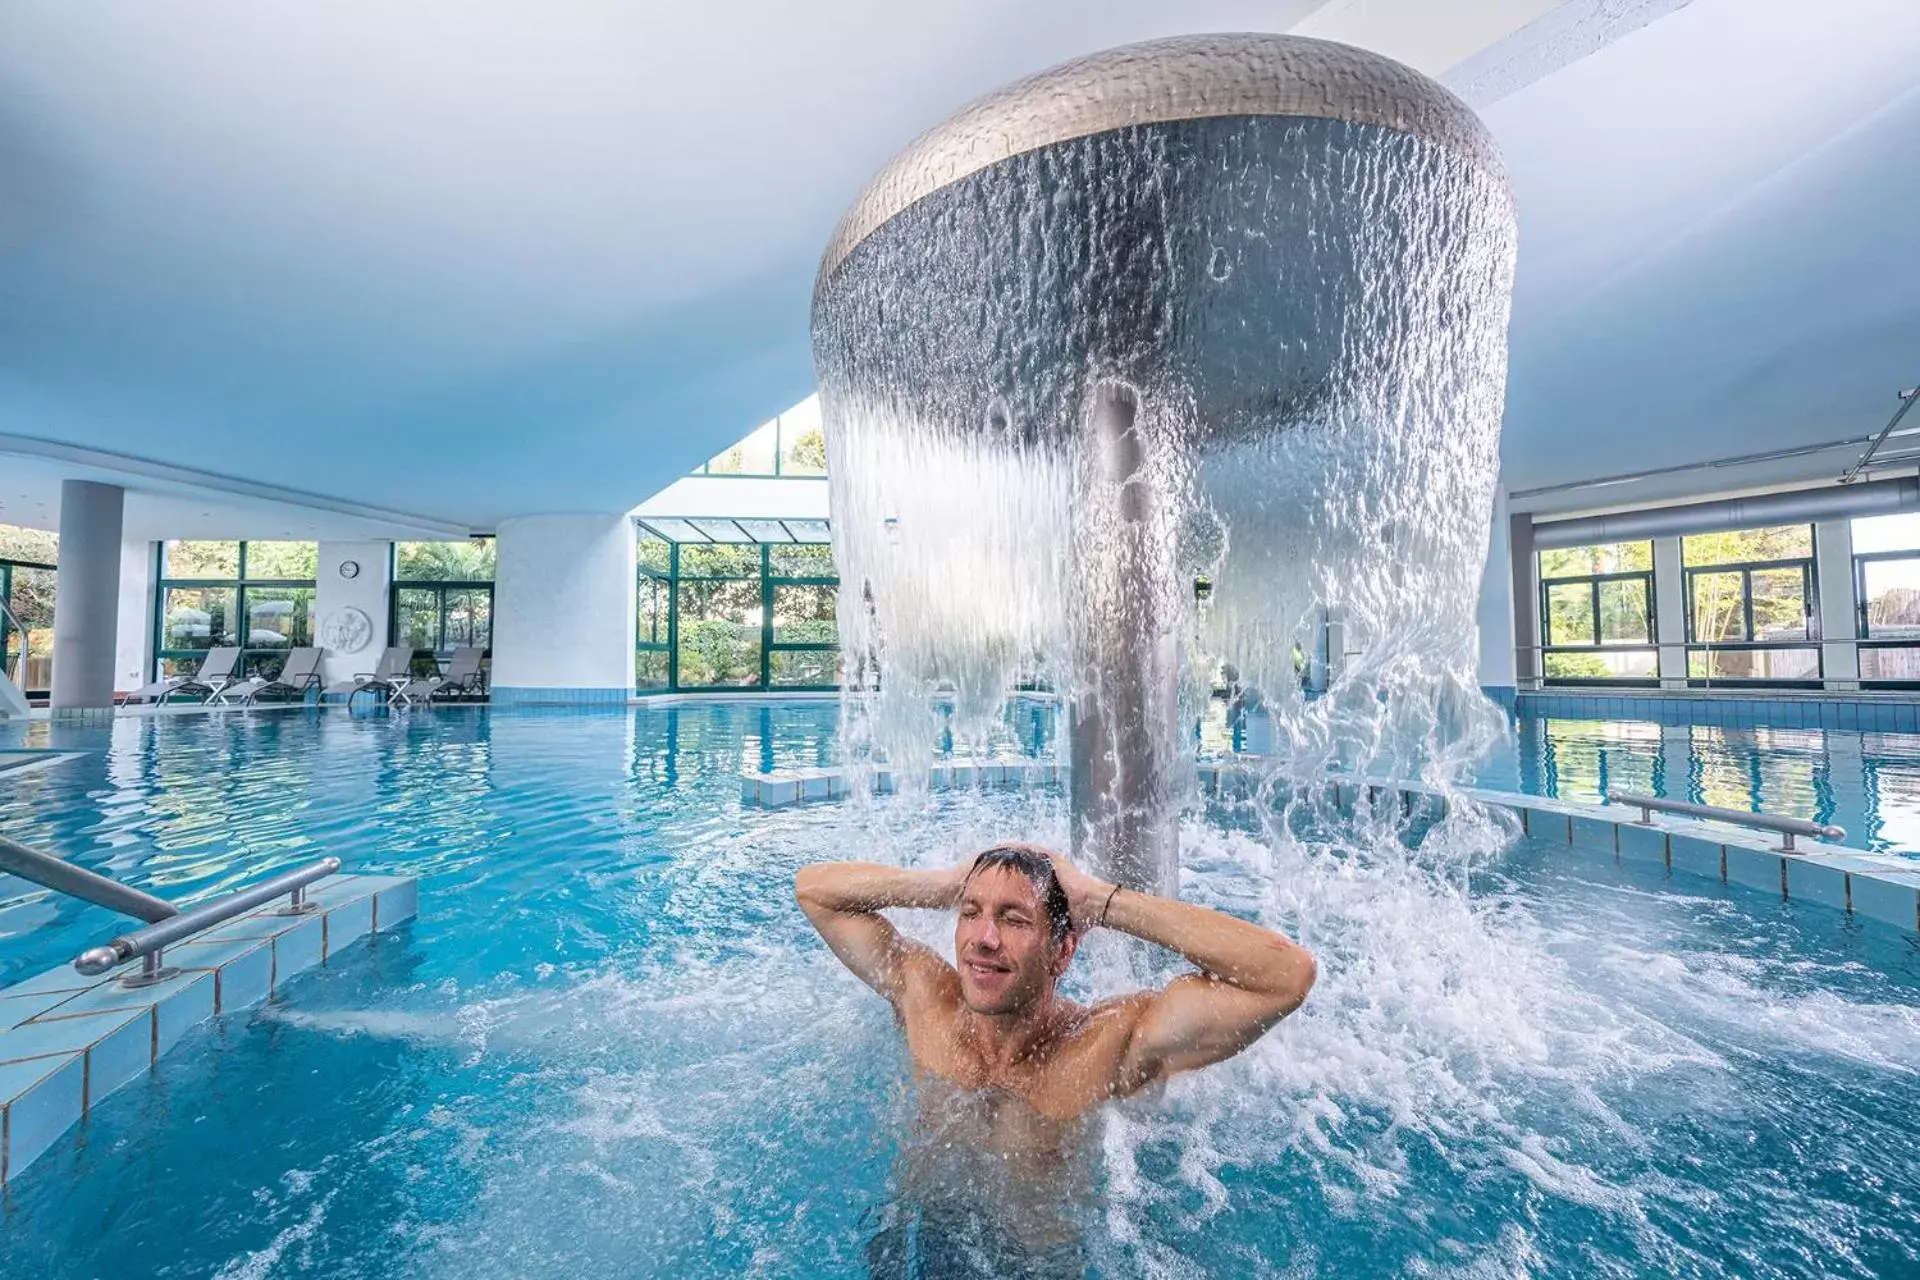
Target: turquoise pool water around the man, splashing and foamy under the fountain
{"type": "Point", "coordinates": [612, 1047]}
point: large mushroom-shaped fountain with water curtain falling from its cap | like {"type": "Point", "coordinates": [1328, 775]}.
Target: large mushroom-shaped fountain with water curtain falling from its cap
{"type": "Point", "coordinates": [1180, 354]}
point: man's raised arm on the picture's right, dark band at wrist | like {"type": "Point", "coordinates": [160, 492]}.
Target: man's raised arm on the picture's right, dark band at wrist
{"type": "Point", "coordinates": [1249, 980]}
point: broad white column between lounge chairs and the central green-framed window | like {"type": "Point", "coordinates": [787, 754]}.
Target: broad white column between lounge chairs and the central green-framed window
{"type": "Point", "coordinates": [564, 609]}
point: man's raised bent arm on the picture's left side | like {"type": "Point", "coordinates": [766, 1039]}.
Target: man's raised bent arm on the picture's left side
{"type": "Point", "coordinates": [844, 901]}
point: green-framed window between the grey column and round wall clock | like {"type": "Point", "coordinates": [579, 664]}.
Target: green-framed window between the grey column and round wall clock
{"type": "Point", "coordinates": [254, 596]}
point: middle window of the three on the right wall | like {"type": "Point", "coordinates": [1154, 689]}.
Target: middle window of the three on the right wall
{"type": "Point", "coordinates": [1750, 605]}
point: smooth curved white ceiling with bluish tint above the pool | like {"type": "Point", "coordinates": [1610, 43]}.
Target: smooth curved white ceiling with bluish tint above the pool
{"type": "Point", "coordinates": [469, 258]}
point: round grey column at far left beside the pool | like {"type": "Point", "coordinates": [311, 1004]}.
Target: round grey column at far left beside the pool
{"type": "Point", "coordinates": [87, 598]}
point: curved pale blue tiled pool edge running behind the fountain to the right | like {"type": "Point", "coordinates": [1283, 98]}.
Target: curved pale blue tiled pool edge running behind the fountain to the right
{"type": "Point", "coordinates": [1848, 880]}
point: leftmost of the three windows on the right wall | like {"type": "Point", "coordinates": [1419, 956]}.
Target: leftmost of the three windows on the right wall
{"type": "Point", "coordinates": [1596, 607]}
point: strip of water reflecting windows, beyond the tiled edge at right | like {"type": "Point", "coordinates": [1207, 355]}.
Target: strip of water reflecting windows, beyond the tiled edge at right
{"type": "Point", "coordinates": [1863, 782]}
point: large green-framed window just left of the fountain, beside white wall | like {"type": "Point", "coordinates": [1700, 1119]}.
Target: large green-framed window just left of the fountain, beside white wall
{"type": "Point", "coordinates": [736, 615]}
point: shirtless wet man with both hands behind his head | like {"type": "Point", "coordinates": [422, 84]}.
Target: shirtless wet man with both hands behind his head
{"type": "Point", "coordinates": [992, 1030]}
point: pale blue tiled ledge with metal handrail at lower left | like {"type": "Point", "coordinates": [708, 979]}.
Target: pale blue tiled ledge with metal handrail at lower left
{"type": "Point", "coordinates": [68, 1041]}
